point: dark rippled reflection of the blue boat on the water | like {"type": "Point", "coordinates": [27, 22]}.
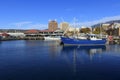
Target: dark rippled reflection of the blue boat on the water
{"type": "Point", "coordinates": [78, 53]}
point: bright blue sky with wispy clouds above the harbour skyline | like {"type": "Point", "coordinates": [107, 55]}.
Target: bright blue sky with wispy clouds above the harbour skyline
{"type": "Point", "coordinates": [35, 14]}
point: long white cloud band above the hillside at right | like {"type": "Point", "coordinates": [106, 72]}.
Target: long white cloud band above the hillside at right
{"type": "Point", "coordinates": [90, 23]}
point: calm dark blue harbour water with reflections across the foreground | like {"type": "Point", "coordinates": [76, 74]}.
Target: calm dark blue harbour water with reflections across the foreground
{"type": "Point", "coordinates": [47, 60]}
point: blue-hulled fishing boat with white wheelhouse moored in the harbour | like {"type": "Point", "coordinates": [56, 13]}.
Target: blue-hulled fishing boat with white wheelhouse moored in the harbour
{"type": "Point", "coordinates": [90, 40]}
